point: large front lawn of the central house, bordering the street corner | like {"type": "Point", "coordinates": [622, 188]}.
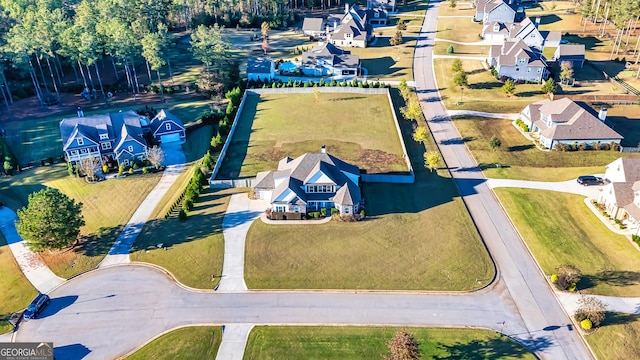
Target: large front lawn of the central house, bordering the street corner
{"type": "Point", "coordinates": [416, 237]}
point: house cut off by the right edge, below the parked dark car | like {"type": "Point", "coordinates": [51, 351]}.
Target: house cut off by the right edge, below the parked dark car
{"type": "Point", "coordinates": [621, 195]}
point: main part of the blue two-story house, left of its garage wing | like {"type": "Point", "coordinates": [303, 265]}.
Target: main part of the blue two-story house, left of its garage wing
{"type": "Point", "coordinates": [108, 137]}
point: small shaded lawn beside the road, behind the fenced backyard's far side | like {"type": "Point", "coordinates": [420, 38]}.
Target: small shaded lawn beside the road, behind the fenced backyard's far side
{"type": "Point", "coordinates": [385, 62]}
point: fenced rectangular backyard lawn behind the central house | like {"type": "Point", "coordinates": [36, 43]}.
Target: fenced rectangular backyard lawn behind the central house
{"type": "Point", "coordinates": [270, 129]}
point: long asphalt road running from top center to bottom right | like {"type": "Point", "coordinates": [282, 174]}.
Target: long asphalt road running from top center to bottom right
{"type": "Point", "coordinates": [524, 281]}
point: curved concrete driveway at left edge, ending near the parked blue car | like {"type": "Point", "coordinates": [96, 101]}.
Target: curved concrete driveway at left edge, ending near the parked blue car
{"type": "Point", "coordinates": [36, 271]}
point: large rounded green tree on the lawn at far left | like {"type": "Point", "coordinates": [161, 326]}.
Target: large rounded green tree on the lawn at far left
{"type": "Point", "coordinates": [51, 220]}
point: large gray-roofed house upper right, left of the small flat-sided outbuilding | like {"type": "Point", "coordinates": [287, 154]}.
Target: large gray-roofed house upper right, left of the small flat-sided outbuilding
{"type": "Point", "coordinates": [517, 61]}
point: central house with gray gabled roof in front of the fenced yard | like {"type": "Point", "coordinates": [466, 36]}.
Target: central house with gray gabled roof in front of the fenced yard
{"type": "Point", "coordinates": [310, 182]}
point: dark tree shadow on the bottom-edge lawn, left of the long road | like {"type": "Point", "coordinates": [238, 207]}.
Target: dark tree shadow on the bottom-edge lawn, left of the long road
{"type": "Point", "coordinates": [491, 349]}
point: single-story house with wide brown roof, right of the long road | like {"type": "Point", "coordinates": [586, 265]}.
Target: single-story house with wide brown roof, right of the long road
{"type": "Point", "coordinates": [565, 121]}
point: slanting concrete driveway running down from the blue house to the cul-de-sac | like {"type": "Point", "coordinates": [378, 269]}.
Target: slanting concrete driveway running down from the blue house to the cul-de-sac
{"type": "Point", "coordinates": [119, 253]}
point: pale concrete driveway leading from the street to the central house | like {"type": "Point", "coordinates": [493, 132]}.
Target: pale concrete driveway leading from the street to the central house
{"type": "Point", "coordinates": [241, 212]}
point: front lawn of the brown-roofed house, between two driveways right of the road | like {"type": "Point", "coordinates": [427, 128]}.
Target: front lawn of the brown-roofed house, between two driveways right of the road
{"type": "Point", "coordinates": [520, 158]}
